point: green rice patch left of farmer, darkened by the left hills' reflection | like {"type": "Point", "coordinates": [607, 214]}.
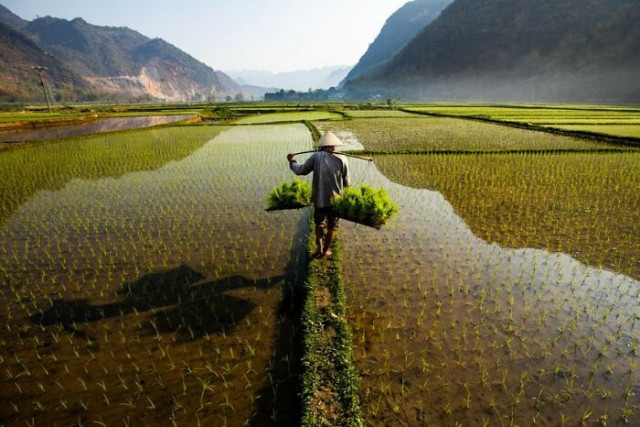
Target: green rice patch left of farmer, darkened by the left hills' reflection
{"type": "Point", "coordinates": [25, 172]}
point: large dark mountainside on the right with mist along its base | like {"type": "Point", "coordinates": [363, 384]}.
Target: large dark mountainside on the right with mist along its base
{"type": "Point", "coordinates": [519, 50]}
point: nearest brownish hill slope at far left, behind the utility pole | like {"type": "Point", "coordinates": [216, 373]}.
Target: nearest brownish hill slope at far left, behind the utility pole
{"type": "Point", "coordinates": [20, 81]}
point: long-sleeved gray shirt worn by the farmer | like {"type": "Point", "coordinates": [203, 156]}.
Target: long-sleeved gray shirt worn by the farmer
{"type": "Point", "coordinates": [330, 174]}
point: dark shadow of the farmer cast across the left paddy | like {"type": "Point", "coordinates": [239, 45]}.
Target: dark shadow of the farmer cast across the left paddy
{"type": "Point", "coordinates": [180, 305]}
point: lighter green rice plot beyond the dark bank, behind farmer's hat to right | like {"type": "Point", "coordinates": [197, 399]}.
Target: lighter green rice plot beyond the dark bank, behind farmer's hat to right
{"type": "Point", "coordinates": [443, 134]}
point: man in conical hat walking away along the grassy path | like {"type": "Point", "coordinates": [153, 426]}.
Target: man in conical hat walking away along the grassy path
{"type": "Point", "coordinates": [330, 174]}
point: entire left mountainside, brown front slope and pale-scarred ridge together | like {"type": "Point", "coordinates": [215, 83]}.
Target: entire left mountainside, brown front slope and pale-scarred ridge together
{"type": "Point", "coordinates": [89, 62]}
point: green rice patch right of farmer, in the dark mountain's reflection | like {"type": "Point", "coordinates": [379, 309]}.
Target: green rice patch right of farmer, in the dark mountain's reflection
{"type": "Point", "coordinates": [586, 205]}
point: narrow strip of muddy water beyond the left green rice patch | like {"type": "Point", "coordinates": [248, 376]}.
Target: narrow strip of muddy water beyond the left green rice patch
{"type": "Point", "coordinates": [109, 124]}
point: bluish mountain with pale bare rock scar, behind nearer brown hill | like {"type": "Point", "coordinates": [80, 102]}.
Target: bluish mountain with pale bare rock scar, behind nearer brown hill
{"type": "Point", "coordinates": [121, 62]}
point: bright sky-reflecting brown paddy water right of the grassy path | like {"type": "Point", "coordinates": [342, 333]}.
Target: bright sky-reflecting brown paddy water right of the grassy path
{"type": "Point", "coordinates": [451, 330]}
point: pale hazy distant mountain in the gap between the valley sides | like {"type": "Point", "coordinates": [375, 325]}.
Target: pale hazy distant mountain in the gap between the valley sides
{"type": "Point", "coordinates": [302, 80]}
